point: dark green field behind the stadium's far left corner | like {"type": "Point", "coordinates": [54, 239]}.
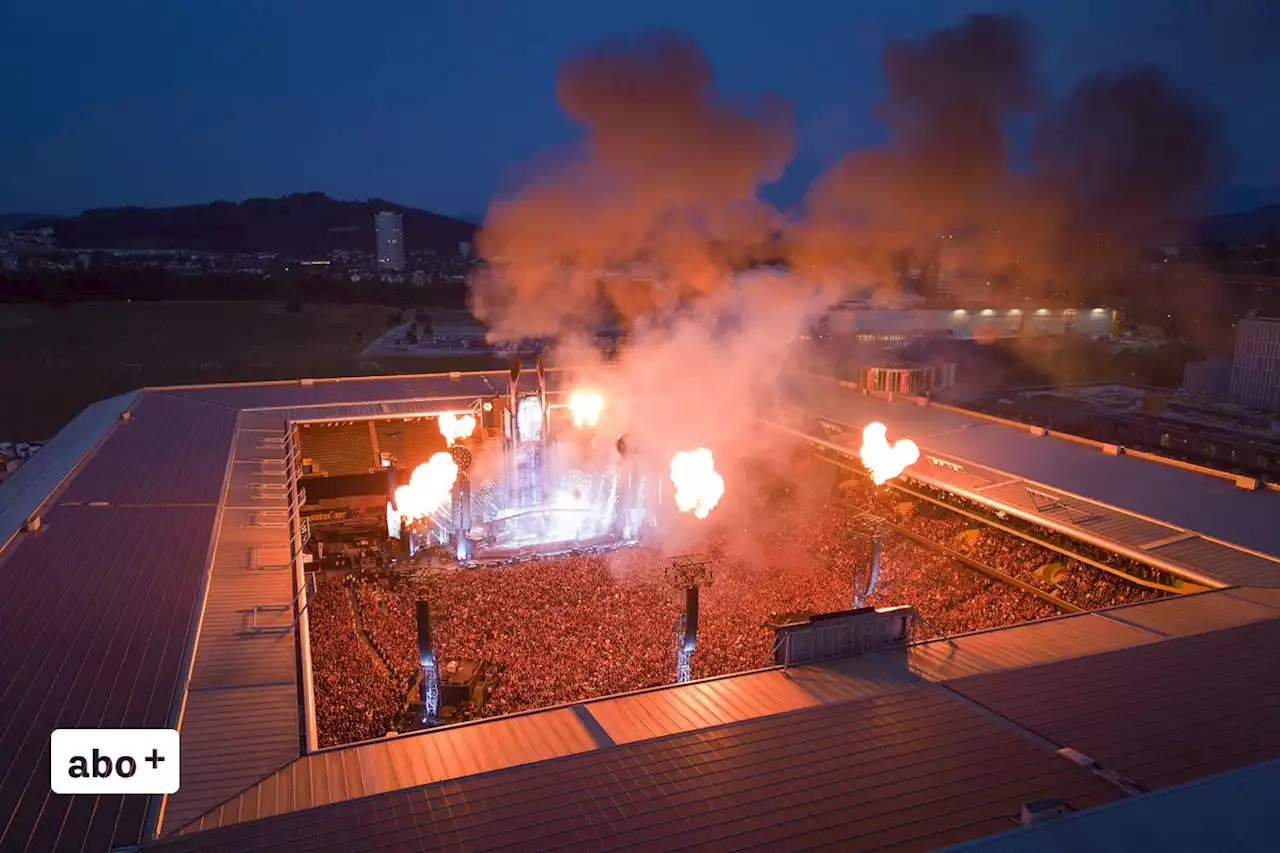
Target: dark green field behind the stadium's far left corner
{"type": "Point", "coordinates": [62, 359]}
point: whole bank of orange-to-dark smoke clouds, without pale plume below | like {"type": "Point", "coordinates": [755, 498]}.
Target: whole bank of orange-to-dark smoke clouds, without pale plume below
{"type": "Point", "coordinates": [662, 202]}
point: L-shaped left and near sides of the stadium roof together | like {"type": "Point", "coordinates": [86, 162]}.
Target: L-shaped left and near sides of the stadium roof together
{"type": "Point", "coordinates": [158, 592]}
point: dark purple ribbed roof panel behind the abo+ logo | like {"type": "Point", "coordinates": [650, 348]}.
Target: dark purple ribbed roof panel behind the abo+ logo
{"type": "Point", "coordinates": [94, 622]}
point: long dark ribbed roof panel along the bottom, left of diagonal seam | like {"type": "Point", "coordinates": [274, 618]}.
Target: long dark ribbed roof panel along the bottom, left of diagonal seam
{"type": "Point", "coordinates": [913, 770]}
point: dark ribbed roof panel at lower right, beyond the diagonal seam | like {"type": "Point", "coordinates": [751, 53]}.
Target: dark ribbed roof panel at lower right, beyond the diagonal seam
{"type": "Point", "coordinates": [1160, 714]}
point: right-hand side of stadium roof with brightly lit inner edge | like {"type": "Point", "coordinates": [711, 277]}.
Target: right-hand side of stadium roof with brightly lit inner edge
{"type": "Point", "coordinates": [1197, 524]}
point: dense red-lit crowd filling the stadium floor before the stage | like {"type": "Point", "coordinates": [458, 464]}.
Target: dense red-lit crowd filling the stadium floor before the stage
{"type": "Point", "coordinates": [563, 630]}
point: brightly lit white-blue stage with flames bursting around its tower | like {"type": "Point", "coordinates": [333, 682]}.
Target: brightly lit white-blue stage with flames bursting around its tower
{"type": "Point", "coordinates": [559, 478]}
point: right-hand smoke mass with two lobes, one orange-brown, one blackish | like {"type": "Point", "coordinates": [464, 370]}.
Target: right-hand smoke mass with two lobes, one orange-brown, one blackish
{"type": "Point", "coordinates": [1117, 159]}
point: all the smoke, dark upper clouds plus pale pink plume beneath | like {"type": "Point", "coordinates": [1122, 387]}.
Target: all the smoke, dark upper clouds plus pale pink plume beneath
{"type": "Point", "coordinates": [655, 217]}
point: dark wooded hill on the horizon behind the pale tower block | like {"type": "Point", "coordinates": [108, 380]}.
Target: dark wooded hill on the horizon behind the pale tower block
{"type": "Point", "coordinates": [307, 225]}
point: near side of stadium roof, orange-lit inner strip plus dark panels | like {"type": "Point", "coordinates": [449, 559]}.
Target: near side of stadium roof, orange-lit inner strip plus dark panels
{"type": "Point", "coordinates": [912, 749]}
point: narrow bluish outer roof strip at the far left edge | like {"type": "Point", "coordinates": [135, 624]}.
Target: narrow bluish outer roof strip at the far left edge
{"type": "Point", "coordinates": [22, 494]}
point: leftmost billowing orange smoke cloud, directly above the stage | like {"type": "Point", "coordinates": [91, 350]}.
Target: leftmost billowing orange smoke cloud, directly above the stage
{"type": "Point", "coordinates": [666, 186]}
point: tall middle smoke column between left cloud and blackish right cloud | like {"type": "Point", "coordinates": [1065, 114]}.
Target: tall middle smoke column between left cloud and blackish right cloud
{"type": "Point", "coordinates": [945, 168]}
